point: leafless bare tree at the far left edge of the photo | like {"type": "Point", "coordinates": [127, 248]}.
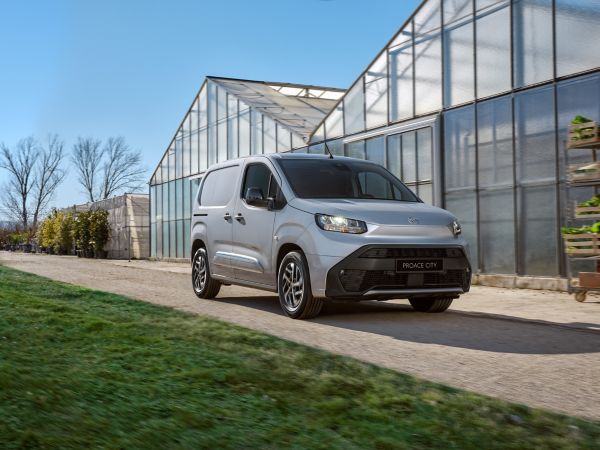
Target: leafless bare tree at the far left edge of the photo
{"type": "Point", "coordinates": [20, 163]}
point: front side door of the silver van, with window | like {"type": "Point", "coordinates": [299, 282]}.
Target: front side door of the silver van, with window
{"type": "Point", "coordinates": [253, 224]}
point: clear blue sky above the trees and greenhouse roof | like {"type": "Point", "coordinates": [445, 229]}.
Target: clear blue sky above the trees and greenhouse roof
{"type": "Point", "coordinates": [131, 68]}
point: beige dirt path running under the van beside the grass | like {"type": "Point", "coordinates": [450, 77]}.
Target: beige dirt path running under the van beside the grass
{"type": "Point", "coordinates": [551, 361]}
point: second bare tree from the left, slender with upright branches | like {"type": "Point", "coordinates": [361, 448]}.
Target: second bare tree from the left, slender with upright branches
{"type": "Point", "coordinates": [48, 175]}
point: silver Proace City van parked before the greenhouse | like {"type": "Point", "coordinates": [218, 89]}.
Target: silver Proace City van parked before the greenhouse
{"type": "Point", "coordinates": [314, 228]}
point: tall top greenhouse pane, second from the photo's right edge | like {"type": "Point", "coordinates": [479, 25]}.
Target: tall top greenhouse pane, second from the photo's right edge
{"type": "Point", "coordinates": [532, 40]}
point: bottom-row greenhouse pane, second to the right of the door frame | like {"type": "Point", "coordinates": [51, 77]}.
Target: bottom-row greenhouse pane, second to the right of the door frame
{"type": "Point", "coordinates": [497, 228]}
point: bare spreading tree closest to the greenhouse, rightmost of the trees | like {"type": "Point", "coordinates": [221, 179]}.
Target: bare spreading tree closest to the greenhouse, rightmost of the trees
{"type": "Point", "coordinates": [122, 169]}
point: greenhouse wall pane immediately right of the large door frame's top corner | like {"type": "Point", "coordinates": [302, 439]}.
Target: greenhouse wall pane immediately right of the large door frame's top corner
{"type": "Point", "coordinates": [459, 148]}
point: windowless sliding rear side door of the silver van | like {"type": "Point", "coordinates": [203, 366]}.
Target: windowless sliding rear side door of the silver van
{"type": "Point", "coordinates": [215, 212]}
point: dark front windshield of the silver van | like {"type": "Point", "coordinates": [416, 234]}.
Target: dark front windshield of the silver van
{"type": "Point", "coordinates": [331, 178]}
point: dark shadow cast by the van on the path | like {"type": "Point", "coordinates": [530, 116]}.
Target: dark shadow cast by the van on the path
{"type": "Point", "coordinates": [499, 334]}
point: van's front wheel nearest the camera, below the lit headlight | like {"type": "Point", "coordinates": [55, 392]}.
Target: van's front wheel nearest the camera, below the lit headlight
{"type": "Point", "coordinates": [293, 286]}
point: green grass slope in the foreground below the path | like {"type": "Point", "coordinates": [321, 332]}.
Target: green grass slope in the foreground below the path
{"type": "Point", "coordinates": [81, 368]}
